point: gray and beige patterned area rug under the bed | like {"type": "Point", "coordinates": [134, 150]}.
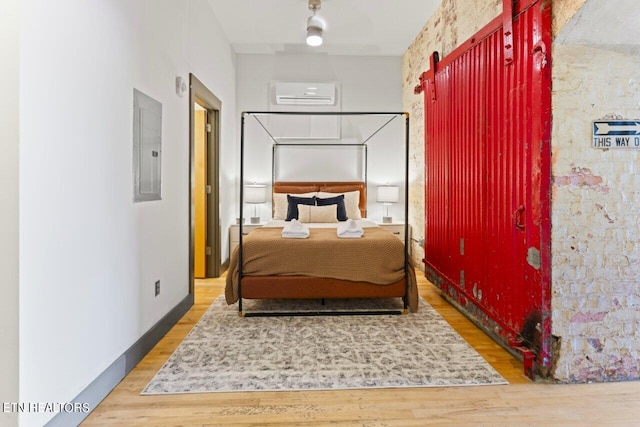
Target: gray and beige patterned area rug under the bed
{"type": "Point", "coordinates": [225, 352]}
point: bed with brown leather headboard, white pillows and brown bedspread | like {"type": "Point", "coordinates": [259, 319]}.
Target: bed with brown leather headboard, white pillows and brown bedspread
{"type": "Point", "coordinates": [321, 266]}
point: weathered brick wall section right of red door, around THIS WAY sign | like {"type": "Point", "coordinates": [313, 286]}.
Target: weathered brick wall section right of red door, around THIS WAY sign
{"type": "Point", "coordinates": [595, 217]}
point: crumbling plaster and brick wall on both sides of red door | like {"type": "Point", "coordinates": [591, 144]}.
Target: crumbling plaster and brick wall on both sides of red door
{"type": "Point", "coordinates": [595, 193]}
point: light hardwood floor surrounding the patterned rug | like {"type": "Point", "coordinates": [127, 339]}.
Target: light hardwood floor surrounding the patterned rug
{"type": "Point", "coordinates": [521, 403]}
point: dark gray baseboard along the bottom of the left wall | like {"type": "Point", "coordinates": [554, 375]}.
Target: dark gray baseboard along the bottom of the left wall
{"type": "Point", "coordinates": [109, 379]}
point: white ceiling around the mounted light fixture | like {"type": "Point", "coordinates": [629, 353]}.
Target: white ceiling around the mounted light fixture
{"type": "Point", "coordinates": [354, 27]}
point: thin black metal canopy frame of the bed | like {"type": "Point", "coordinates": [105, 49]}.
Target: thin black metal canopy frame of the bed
{"type": "Point", "coordinates": [278, 143]}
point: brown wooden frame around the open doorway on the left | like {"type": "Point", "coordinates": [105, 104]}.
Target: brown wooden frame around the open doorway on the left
{"type": "Point", "coordinates": [200, 94]}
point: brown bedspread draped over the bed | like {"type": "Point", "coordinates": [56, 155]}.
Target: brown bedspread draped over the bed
{"type": "Point", "coordinates": [377, 257]}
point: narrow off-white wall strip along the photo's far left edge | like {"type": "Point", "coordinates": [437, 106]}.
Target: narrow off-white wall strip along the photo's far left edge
{"type": "Point", "coordinates": [9, 136]}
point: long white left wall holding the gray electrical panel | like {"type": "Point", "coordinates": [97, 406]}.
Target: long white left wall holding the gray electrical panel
{"type": "Point", "coordinates": [89, 256]}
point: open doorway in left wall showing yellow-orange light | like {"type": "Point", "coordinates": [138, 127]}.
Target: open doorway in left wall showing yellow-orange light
{"type": "Point", "coordinates": [204, 212]}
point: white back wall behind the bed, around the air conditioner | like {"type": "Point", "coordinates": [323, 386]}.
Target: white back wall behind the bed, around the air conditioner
{"type": "Point", "coordinates": [367, 84]}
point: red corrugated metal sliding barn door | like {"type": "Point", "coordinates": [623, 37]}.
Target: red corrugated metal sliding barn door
{"type": "Point", "coordinates": [487, 161]}
